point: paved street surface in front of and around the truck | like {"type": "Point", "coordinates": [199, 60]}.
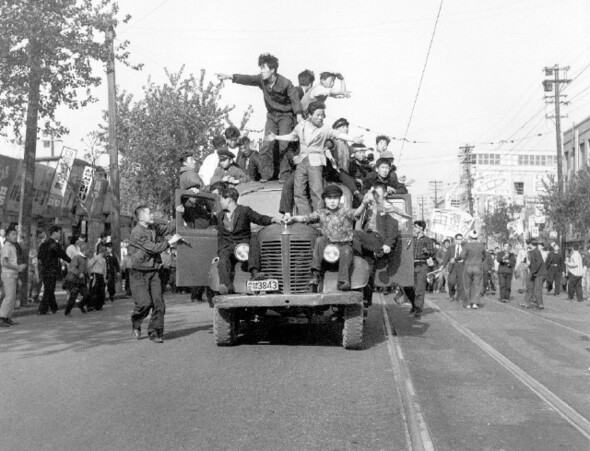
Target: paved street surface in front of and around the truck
{"type": "Point", "coordinates": [84, 383]}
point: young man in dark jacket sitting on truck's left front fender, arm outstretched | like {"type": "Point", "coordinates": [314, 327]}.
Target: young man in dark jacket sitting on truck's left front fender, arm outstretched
{"type": "Point", "coordinates": [233, 227]}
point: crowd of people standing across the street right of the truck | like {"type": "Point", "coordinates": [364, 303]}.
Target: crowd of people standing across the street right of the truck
{"type": "Point", "coordinates": [535, 268]}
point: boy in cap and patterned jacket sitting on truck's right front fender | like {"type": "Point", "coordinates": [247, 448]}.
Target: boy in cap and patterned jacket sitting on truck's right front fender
{"type": "Point", "coordinates": [337, 228]}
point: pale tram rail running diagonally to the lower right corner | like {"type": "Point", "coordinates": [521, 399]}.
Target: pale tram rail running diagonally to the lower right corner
{"type": "Point", "coordinates": [560, 406]}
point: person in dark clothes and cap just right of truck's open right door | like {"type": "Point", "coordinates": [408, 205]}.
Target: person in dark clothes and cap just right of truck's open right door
{"type": "Point", "coordinates": [423, 252]}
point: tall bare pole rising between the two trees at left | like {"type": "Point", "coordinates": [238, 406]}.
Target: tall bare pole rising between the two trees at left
{"type": "Point", "coordinates": [113, 145]}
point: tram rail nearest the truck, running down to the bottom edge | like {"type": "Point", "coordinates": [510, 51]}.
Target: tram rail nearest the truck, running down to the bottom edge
{"type": "Point", "coordinates": [417, 433]}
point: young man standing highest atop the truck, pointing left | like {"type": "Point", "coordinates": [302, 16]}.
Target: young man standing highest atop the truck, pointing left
{"type": "Point", "coordinates": [282, 105]}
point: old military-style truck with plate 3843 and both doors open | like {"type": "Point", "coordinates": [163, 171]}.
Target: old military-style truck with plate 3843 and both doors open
{"type": "Point", "coordinates": [283, 294]}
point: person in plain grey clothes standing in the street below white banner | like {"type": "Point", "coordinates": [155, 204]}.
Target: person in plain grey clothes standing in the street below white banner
{"type": "Point", "coordinates": [474, 256]}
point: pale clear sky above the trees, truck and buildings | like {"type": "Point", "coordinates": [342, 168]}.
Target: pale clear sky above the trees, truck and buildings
{"type": "Point", "coordinates": [481, 84]}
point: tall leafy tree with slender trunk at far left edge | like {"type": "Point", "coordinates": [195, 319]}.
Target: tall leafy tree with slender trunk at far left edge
{"type": "Point", "coordinates": [47, 49]}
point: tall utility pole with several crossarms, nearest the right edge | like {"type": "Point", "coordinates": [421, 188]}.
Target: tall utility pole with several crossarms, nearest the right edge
{"type": "Point", "coordinates": [554, 85]}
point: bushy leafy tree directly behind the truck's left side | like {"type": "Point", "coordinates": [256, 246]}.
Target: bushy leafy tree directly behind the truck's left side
{"type": "Point", "coordinates": [182, 114]}
